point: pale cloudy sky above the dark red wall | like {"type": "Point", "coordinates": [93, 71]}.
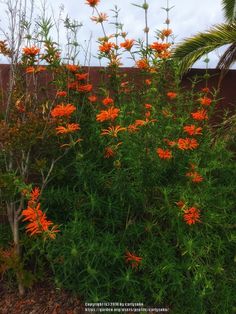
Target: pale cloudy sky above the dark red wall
{"type": "Point", "coordinates": [187, 17]}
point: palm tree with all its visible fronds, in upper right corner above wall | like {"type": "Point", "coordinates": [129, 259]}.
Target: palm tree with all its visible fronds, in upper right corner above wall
{"type": "Point", "coordinates": [195, 47]}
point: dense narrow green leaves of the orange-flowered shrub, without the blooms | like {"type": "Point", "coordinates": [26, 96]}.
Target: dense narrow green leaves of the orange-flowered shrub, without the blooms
{"type": "Point", "coordinates": [128, 203]}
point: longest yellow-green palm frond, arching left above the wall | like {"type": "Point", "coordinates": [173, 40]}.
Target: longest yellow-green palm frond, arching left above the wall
{"type": "Point", "coordinates": [194, 48]}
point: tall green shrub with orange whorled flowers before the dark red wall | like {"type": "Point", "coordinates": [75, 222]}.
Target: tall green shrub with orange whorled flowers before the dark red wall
{"type": "Point", "coordinates": [144, 197]}
